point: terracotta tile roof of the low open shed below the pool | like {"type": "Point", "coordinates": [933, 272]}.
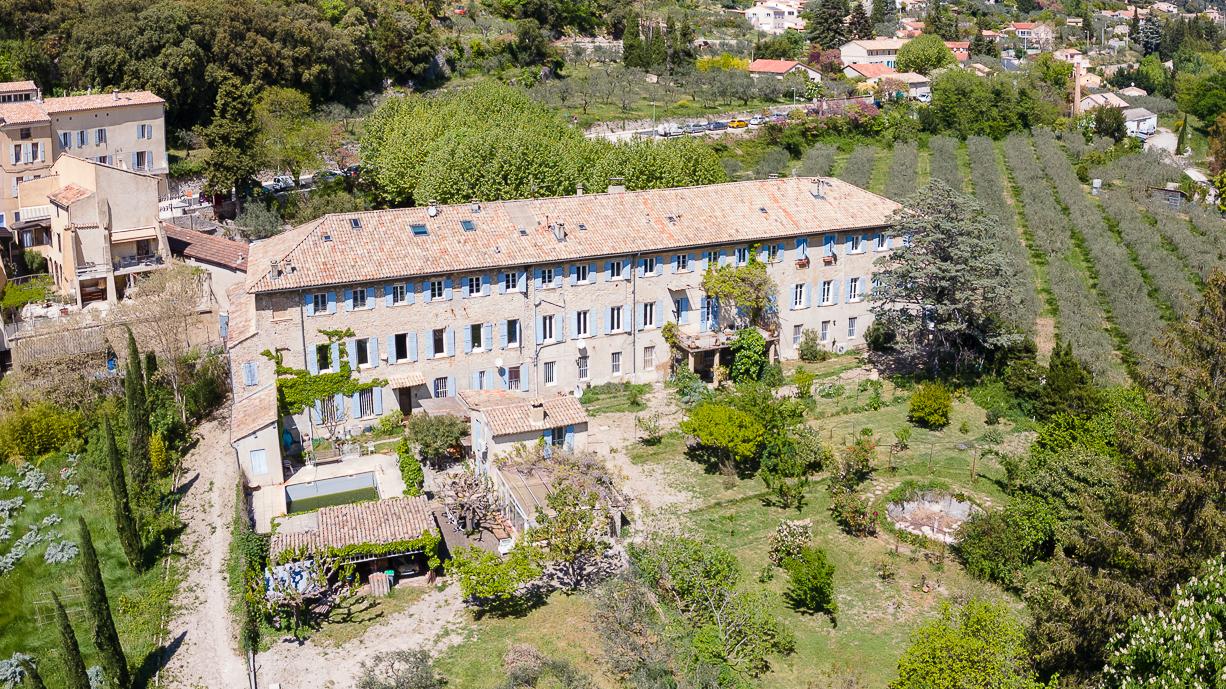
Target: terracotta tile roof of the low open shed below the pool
{"type": "Point", "coordinates": [384, 522]}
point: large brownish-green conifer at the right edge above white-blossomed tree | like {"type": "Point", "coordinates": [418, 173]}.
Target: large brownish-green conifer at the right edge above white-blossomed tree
{"type": "Point", "coordinates": [1131, 552]}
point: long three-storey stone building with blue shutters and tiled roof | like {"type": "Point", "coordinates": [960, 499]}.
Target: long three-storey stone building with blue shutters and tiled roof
{"type": "Point", "coordinates": [549, 295]}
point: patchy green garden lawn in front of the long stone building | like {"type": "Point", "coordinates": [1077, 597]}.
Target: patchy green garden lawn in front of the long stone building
{"type": "Point", "coordinates": [876, 617]}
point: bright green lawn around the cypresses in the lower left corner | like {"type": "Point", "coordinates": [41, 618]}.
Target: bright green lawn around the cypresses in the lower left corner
{"type": "Point", "coordinates": [139, 603]}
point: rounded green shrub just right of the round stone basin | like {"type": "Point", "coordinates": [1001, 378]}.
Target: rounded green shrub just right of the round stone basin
{"type": "Point", "coordinates": [1000, 545]}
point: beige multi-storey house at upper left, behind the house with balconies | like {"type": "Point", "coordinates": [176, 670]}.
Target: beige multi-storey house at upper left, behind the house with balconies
{"type": "Point", "coordinates": [121, 129]}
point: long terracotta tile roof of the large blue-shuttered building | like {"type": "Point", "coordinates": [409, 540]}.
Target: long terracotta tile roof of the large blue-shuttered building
{"type": "Point", "coordinates": [330, 251]}
